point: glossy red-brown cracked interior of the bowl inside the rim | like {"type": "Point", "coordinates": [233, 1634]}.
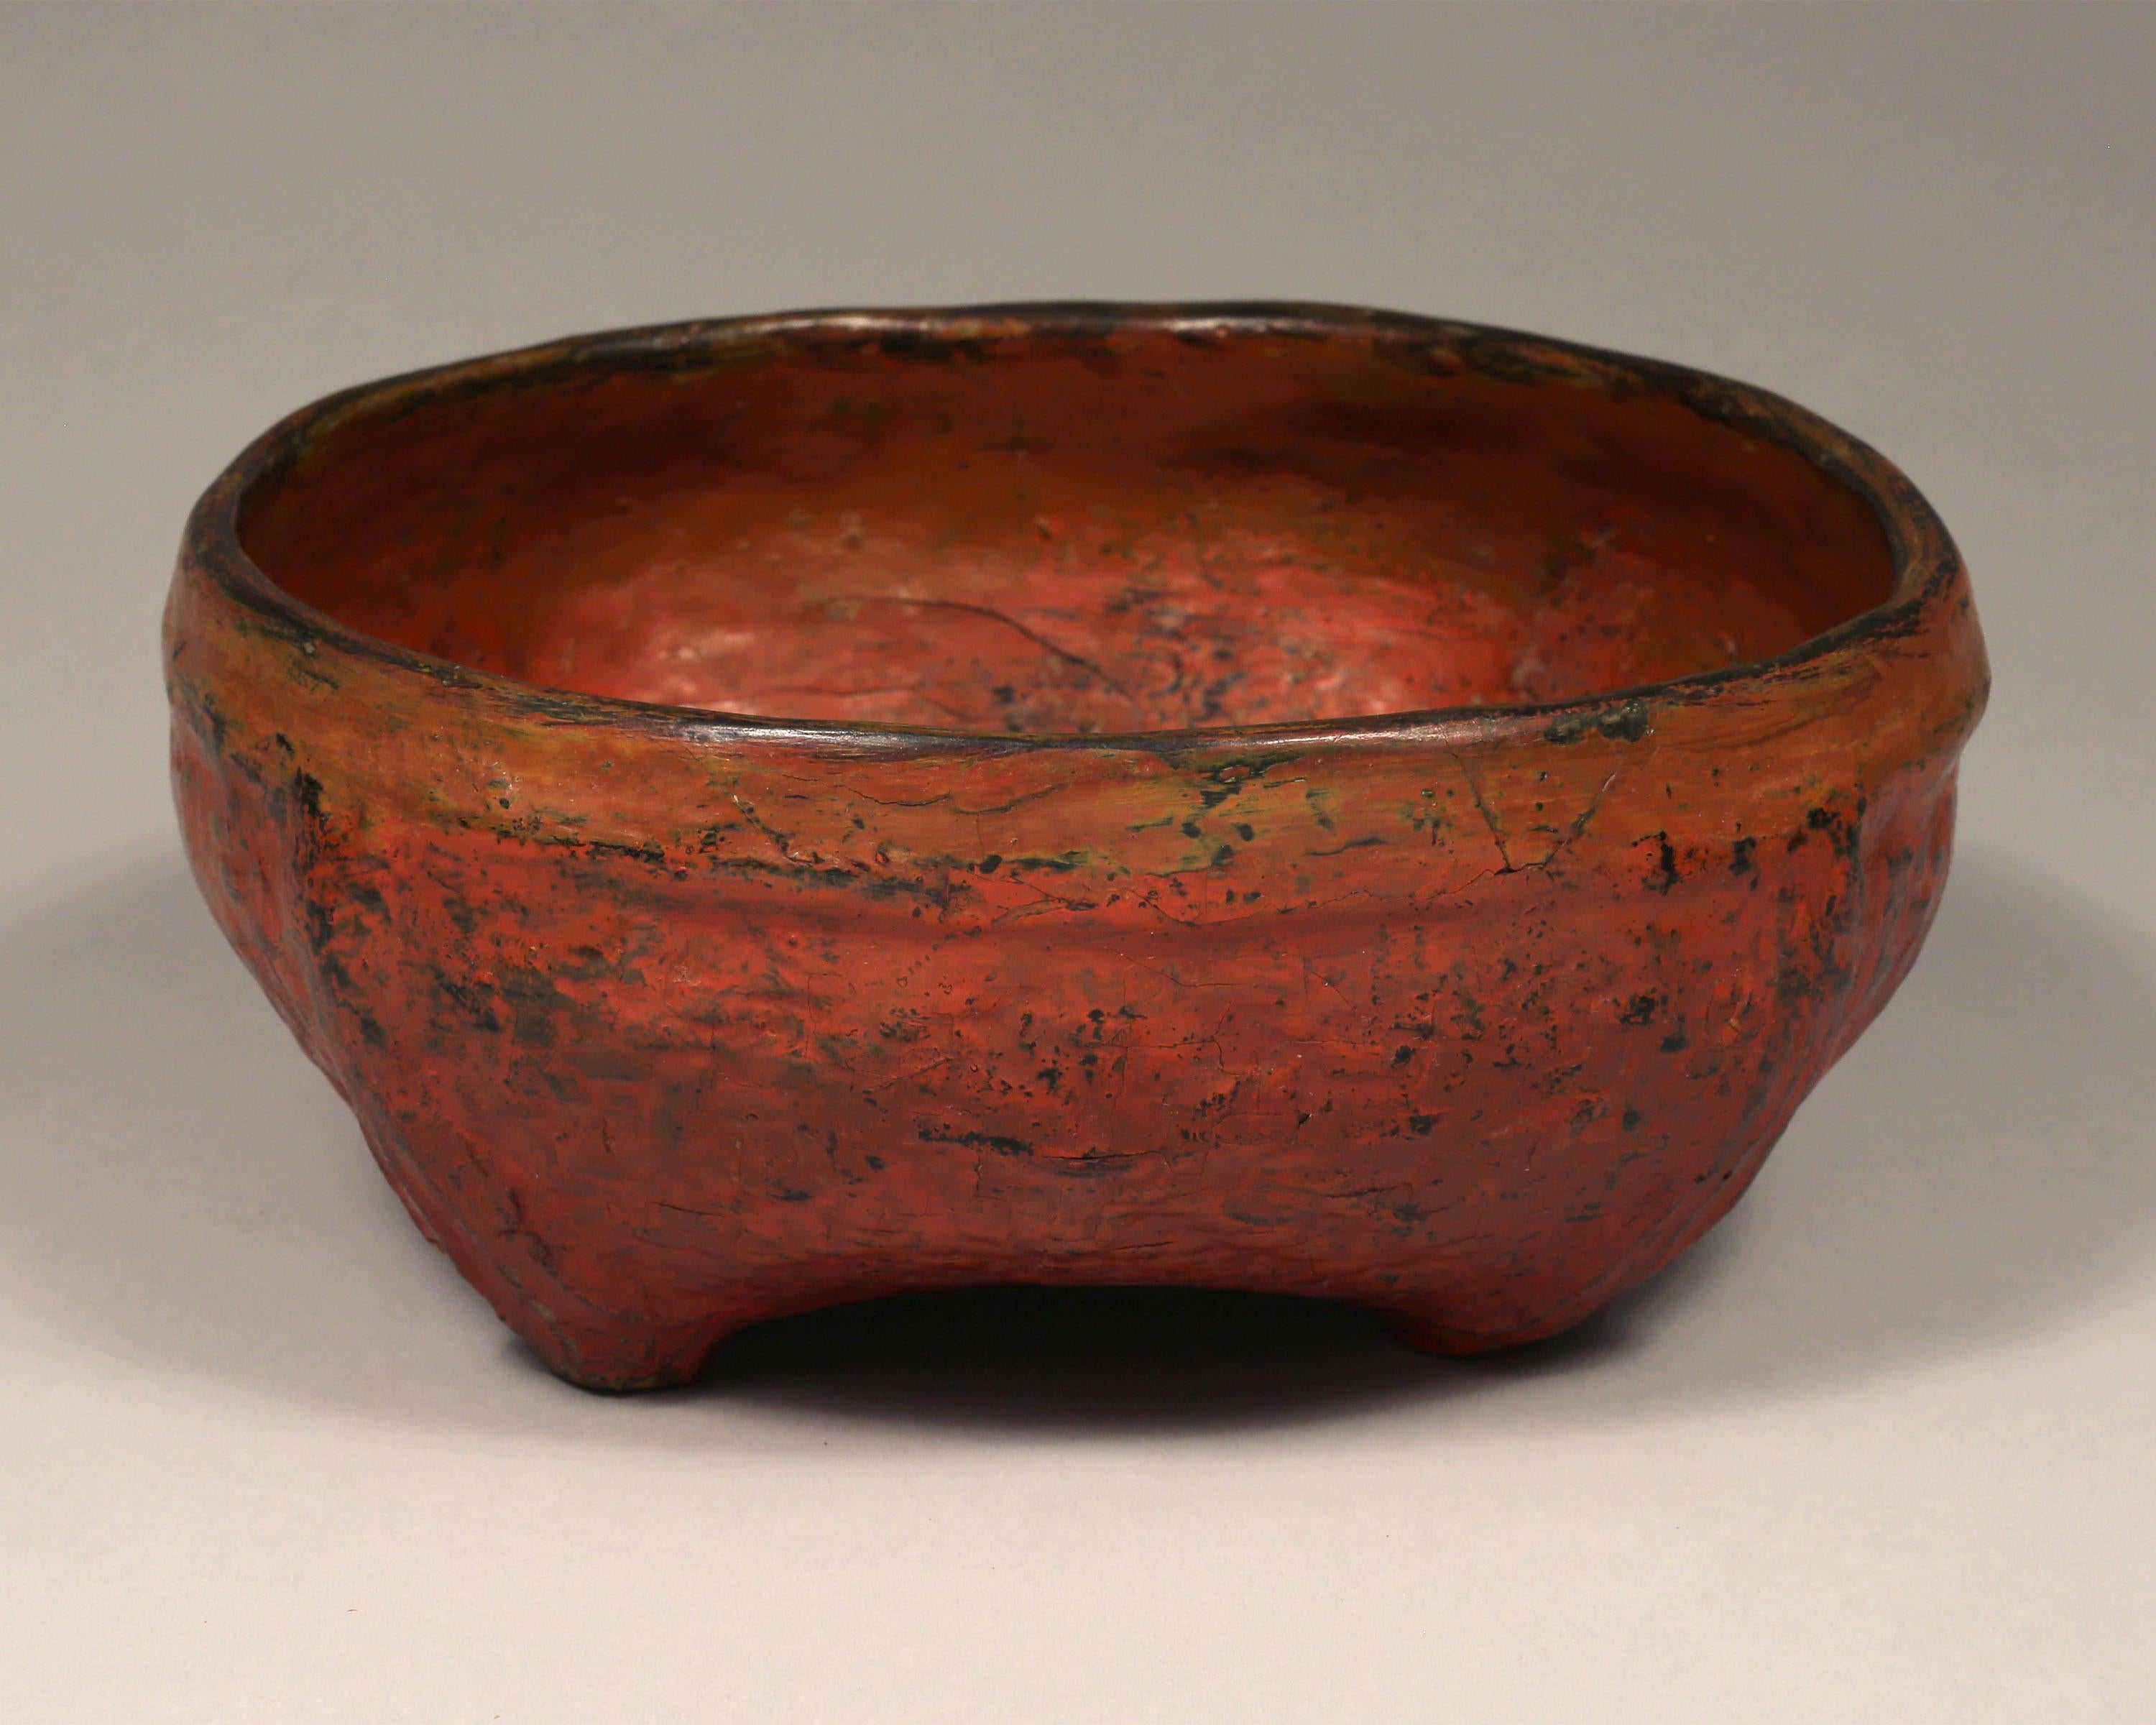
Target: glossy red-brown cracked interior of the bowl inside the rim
{"type": "Point", "coordinates": [1049, 534]}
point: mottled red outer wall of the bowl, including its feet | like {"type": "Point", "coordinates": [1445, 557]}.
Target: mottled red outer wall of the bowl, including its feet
{"type": "Point", "coordinates": [663, 1034]}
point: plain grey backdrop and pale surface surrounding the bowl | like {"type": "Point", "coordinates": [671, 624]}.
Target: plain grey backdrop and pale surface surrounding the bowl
{"type": "Point", "coordinates": [1881, 1450]}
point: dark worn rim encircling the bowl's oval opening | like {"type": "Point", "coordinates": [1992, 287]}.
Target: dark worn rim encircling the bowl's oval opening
{"type": "Point", "coordinates": [1924, 560]}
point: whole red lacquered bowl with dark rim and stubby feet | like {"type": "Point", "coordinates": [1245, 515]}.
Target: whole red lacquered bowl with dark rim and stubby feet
{"type": "Point", "coordinates": [777, 812]}
